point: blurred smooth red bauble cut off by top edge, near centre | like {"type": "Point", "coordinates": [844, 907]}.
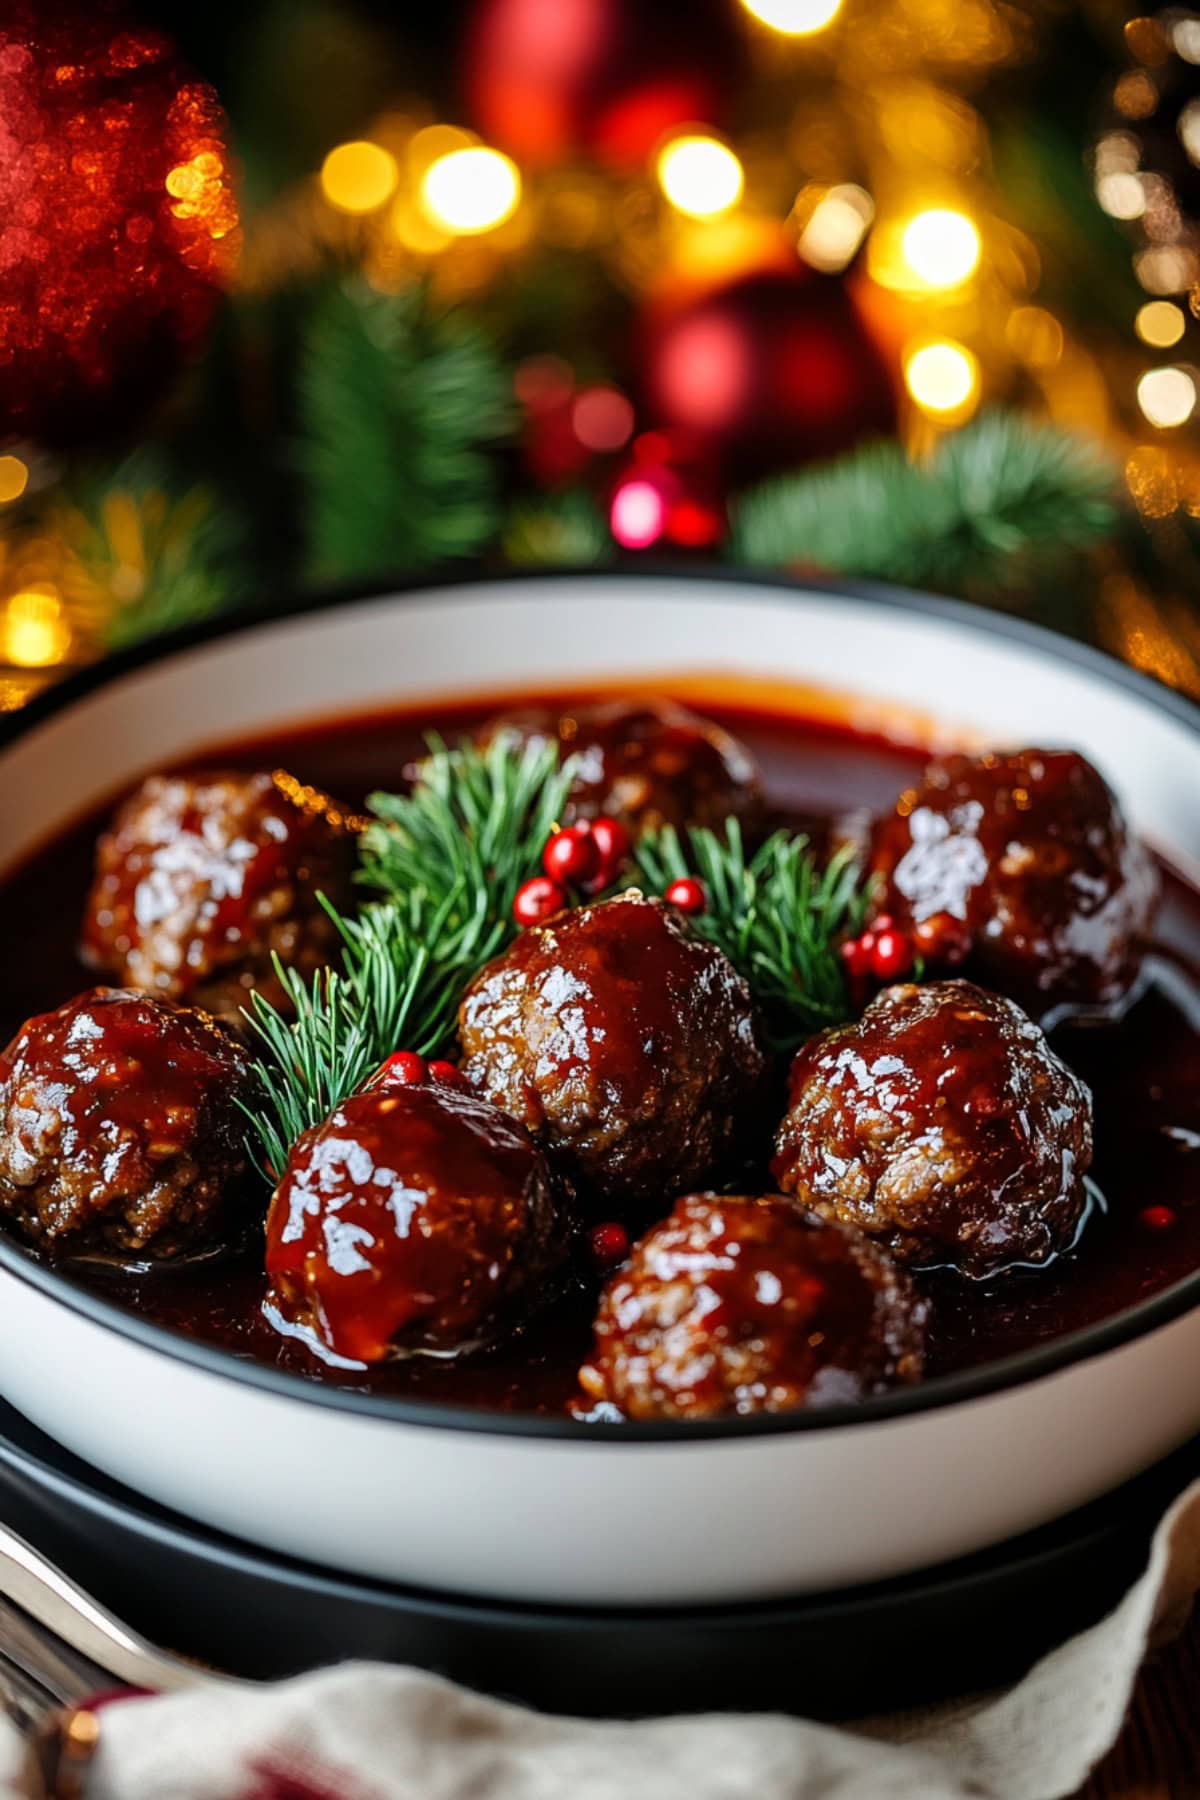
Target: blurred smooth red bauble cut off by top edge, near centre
{"type": "Point", "coordinates": [607, 78]}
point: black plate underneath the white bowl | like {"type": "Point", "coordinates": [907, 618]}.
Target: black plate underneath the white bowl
{"type": "Point", "coordinates": [958, 1628]}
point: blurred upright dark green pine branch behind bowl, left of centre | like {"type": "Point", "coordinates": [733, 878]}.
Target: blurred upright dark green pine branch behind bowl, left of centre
{"type": "Point", "coordinates": [399, 406]}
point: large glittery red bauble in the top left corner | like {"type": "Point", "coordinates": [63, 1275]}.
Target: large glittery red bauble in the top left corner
{"type": "Point", "coordinates": [118, 219]}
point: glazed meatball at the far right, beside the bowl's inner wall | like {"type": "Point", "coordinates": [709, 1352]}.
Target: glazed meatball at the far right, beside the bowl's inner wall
{"type": "Point", "coordinates": [1025, 867]}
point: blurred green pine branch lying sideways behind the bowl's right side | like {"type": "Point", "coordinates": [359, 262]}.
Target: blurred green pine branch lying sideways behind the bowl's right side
{"type": "Point", "coordinates": [996, 498]}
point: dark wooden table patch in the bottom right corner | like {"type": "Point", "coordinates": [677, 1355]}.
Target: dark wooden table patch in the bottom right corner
{"type": "Point", "coordinates": [1158, 1756]}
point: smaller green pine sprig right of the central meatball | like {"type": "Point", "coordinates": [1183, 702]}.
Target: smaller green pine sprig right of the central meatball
{"type": "Point", "coordinates": [778, 915]}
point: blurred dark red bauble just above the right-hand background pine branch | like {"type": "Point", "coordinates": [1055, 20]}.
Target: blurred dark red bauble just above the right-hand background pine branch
{"type": "Point", "coordinates": [767, 372]}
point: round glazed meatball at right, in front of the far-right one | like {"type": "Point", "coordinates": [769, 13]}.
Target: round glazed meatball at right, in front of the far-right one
{"type": "Point", "coordinates": [944, 1126]}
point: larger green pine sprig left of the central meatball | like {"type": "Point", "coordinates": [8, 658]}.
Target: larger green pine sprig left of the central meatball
{"type": "Point", "coordinates": [449, 861]}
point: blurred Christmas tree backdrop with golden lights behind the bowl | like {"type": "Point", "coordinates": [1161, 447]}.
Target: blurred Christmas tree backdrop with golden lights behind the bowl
{"type": "Point", "coordinates": [899, 289]}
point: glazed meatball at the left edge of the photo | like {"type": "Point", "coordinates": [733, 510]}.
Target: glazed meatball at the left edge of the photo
{"type": "Point", "coordinates": [121, 1128]}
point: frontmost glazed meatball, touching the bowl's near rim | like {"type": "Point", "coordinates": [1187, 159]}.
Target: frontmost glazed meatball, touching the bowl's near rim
{"type": "Point", "coordinates": [751, 1306]}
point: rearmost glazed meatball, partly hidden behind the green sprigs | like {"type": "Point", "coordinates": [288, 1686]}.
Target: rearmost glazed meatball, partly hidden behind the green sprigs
{"type": "Point", "coordinates": [647, 762]}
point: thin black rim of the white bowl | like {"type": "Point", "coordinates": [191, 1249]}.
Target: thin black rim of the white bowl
{"type": "Point", "coordinates": [999, 1376]}
